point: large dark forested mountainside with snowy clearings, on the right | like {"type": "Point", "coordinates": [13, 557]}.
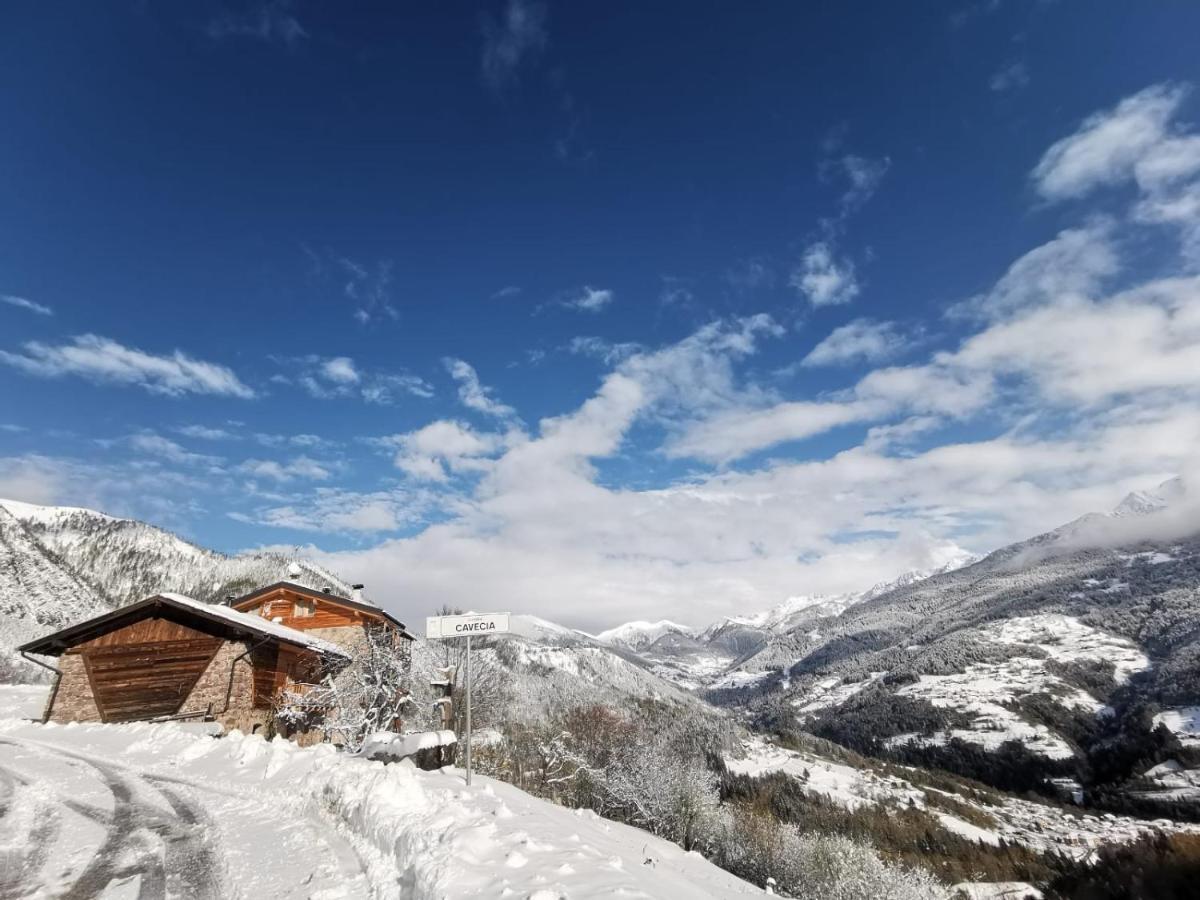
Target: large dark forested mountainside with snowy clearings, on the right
{"type": "Point", "coordinates": [1029, 645]}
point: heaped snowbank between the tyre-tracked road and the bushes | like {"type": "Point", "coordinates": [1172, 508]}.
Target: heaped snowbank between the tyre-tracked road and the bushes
{"type": "Point", "coordinates": [421, 835]}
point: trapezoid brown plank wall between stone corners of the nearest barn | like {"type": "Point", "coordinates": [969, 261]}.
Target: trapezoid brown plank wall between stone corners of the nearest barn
{"type": "Point", "coordinates": [148, 679]}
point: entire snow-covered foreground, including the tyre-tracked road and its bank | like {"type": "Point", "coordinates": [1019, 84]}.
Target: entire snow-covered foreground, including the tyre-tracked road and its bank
{"type": "Point", "coordinates": [161, 811]}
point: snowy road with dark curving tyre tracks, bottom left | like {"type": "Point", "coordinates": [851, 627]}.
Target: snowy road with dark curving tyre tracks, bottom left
{"type": "Point", "coordinates": [79, 827]}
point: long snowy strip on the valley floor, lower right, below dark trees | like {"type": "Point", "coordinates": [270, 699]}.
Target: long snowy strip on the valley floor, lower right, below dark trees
{"type": "Point", "coordinates": [1035, 825]}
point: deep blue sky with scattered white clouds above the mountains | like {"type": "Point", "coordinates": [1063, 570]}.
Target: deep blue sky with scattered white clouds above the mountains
{"type": "Point", "coordinates": [610, 311]}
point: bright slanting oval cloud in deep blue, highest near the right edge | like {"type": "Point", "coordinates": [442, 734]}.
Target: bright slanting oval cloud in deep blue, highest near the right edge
{"type": "Point", "coordinates": [1109, 147]}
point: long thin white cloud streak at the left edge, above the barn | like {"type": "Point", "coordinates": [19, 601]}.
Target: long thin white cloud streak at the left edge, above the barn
{"type": "Point", "coordinates": [104, 361]}
